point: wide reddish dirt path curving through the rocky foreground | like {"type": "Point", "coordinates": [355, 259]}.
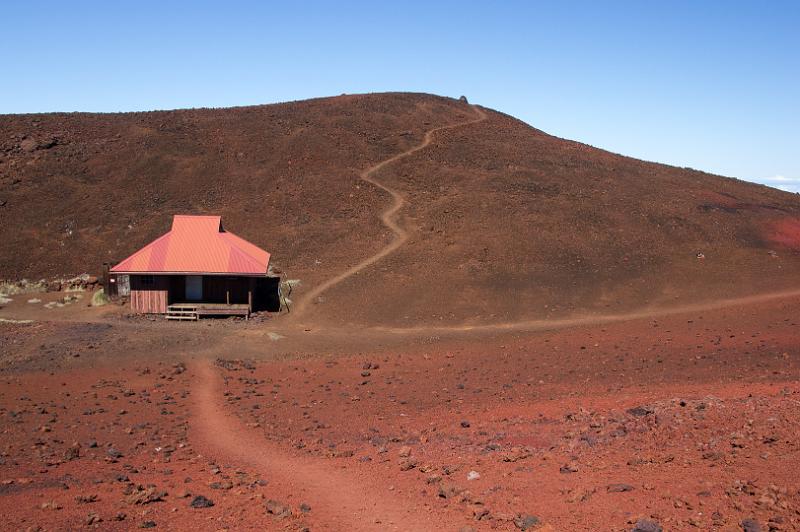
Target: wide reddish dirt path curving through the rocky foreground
{"type": "Point", "coordinates": [340, 498]}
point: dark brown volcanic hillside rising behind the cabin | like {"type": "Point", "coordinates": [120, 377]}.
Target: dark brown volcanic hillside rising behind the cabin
{"type": "Point", "coordinates": [483, 220]}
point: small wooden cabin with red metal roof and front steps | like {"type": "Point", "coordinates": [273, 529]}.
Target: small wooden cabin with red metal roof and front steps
{"type": "Point", "coordinates": [197, 269]}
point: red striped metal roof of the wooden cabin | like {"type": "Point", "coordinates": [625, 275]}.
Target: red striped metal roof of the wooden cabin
{"type": "Point", "coordinates": [197, 244]}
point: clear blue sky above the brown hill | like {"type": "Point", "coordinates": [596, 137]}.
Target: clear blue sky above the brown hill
{"type": "Point", "coordinates": [710, 85]}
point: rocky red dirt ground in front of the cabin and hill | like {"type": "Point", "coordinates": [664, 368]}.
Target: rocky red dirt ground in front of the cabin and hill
{"type": "Point", "coordinates": [680, 420]}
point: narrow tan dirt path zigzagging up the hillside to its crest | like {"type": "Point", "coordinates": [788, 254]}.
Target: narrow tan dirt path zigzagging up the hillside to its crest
{"type": "Point", "coordinates": [388, 217]}
